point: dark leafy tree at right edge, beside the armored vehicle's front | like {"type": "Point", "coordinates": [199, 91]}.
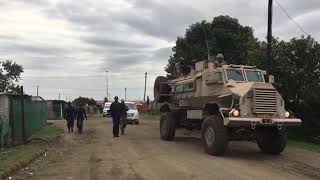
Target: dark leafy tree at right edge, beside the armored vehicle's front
{"type": "Point", "coordinates": [296, 66]}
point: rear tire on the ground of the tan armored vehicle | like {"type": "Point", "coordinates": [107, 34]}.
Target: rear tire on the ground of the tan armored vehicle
{"type": "Point", "coordinates": [167, 126]}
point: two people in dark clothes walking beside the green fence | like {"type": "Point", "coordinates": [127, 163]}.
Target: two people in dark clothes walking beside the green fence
{"type": "Point", "coordinates": [71, 114]}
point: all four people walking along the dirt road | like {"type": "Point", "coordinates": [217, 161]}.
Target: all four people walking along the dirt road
{"type": "Point", "coordinates": [118, 112]}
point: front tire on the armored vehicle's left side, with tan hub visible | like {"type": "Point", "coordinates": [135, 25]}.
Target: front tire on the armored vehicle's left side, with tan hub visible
{"type": "Point", "coordinates": [214, 136]}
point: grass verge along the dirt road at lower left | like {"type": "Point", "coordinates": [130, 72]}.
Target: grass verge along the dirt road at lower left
{"type": "Point", "coordinates": [14, 158]}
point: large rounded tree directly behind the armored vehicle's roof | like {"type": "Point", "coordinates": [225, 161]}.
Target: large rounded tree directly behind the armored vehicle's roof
{"type": "Point", "coordinates": [224, 34]}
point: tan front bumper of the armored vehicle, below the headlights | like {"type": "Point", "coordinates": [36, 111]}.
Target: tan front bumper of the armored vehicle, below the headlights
{"type": "Point", "coordinates": [238, 121]}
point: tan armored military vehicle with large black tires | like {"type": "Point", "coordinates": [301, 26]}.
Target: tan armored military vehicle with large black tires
{"type": "Point", "coordinates": [227, 103]}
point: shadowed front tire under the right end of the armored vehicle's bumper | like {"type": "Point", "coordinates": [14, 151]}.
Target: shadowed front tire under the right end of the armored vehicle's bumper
{"type": "Point", "coordinates": [272, 140]}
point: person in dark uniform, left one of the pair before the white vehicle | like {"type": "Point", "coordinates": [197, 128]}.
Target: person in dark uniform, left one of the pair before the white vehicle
{"type": "Point", "coordinates": [115, 112]}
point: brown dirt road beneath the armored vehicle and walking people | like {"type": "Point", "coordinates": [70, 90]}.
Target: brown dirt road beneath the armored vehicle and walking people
{"type": "Point", "coordinates": [140, 154]}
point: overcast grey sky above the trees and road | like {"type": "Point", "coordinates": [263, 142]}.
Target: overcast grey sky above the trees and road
{"type": "Point", "coordinates": [59, 38]}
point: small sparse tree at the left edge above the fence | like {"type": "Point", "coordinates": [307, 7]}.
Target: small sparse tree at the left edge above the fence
{"type": "Point", "coordinates": [10, 73]}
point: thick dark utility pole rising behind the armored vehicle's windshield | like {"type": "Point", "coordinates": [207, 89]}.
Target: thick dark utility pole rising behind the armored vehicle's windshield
{"type": "Point", "coordinates": [269, 37]}
